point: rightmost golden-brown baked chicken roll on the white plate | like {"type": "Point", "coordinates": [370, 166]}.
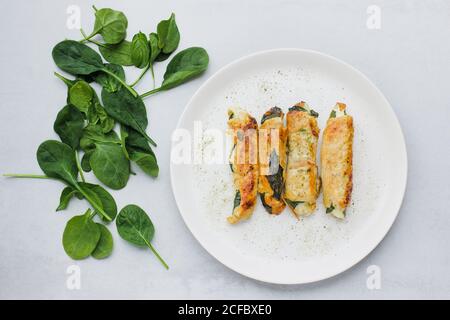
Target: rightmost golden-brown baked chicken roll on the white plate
{"type": "Point", "coordinates": [336, 161]}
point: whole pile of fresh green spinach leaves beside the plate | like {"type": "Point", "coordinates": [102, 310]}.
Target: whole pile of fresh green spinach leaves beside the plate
{"type": "Point", "coordinates": [106, 133]}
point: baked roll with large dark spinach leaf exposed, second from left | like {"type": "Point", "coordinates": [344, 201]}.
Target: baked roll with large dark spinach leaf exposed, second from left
{"type": "Point", "coordinates": [272, 160]}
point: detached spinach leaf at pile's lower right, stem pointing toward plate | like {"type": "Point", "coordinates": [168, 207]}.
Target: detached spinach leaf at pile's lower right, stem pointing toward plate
{"type": "Point", "coordinates": [135, 226]}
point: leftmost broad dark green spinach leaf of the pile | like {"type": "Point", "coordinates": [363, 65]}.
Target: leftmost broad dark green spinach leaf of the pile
{"type": "Point", "coordinates": [57, 160]}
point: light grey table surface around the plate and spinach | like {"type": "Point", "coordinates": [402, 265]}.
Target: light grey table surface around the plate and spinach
{"type": "Point", "coordinates": [408, 58]}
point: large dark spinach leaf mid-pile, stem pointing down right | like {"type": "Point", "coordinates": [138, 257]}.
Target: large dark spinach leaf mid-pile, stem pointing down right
{"type": "Point", "coordinates": [128, 110]}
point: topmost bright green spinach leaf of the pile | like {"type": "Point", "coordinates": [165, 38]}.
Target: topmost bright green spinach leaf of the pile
{"type": "Point", "coordinates": [111, 24]}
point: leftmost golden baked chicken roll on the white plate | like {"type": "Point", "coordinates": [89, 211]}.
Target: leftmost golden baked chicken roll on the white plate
{"type": "Point", "coordinates": [243, 163]}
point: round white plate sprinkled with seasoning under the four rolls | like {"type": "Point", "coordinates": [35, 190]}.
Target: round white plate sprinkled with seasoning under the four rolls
{"type": "Point", "coordinates": [281, 249]}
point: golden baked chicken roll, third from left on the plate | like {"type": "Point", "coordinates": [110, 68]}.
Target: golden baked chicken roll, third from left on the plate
{"type": "Point", "coordinates": [302, 181]}
